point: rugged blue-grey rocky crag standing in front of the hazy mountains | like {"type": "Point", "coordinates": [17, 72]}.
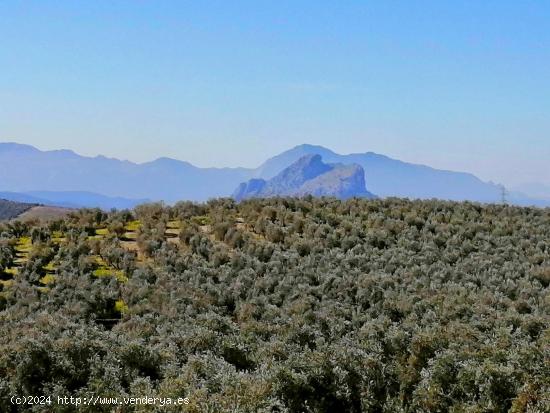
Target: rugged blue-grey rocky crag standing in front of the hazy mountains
{"type": "Point", "coordinates": [308, 176]}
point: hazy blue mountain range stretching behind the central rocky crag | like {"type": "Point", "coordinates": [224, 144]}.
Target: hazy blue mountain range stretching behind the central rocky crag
{"type": "Point", "coordinates": [63, 177]}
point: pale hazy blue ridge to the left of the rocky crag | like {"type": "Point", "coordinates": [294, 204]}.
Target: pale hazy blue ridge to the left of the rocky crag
{"type": "Point", "coordinates": [28, 169]}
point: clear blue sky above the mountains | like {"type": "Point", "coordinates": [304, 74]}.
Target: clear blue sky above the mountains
{"type": "Point", "coordinates": [454, 85]}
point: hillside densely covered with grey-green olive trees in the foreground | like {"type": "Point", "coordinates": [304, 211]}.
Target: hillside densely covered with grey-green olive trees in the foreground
{"type": "Point", "coordinates": [282, 305]}
